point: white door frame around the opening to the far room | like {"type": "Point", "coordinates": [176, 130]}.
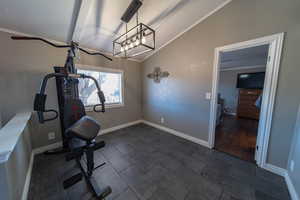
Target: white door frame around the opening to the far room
{"type": "Point", "coordinates": [275, 48]}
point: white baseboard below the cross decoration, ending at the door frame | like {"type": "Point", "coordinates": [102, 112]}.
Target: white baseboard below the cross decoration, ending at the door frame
{"type": "Point", "coordinates": [177, 133]}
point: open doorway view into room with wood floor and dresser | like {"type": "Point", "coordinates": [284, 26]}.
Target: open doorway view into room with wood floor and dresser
{"type": "Point", "coordinates": [241, 85]}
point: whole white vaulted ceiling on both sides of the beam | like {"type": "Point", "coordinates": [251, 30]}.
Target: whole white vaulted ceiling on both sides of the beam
{"type": "Point", "coordinates": [99, 20]}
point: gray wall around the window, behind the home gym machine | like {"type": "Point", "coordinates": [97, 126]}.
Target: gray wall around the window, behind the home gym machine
{"type": "Point", "coordinates": [22, 67]}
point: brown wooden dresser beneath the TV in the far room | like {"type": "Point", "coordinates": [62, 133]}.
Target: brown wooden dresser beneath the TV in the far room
{"type": "Point", "coordinates": [246, 103]}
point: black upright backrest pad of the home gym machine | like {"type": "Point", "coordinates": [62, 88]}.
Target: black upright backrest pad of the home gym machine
{"type": "Point", "coordinates": [73, 111]}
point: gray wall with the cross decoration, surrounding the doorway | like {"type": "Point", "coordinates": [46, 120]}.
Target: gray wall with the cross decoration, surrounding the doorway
{"type": "Point", "coordinates": [181, 97]}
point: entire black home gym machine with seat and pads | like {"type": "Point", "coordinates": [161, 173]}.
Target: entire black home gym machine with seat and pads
{"type": "Point", "coordinates": [78, 130]}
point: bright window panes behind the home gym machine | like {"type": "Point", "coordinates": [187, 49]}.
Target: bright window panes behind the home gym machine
{"type": "Point", "coordinates": [110, 82]}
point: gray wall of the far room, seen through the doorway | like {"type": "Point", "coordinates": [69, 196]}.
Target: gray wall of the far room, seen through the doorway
{"type": "Point", "coordinates": [227, 87]}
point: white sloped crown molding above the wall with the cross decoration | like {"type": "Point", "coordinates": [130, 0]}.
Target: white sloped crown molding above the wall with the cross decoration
{"type": "Point", "coordinates": [187, 29]}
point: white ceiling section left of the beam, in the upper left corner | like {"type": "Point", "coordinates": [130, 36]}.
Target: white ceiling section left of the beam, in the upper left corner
{"type": "Point", "coordinates": [46, 18]}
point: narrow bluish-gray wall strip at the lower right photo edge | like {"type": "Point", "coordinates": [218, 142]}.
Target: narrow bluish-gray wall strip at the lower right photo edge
{"type": "Point", "coordinates": [294, 156]}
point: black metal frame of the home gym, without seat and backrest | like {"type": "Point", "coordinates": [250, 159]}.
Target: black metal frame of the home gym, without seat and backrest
{"type": "Point", "coordinates": [68, 75]}
